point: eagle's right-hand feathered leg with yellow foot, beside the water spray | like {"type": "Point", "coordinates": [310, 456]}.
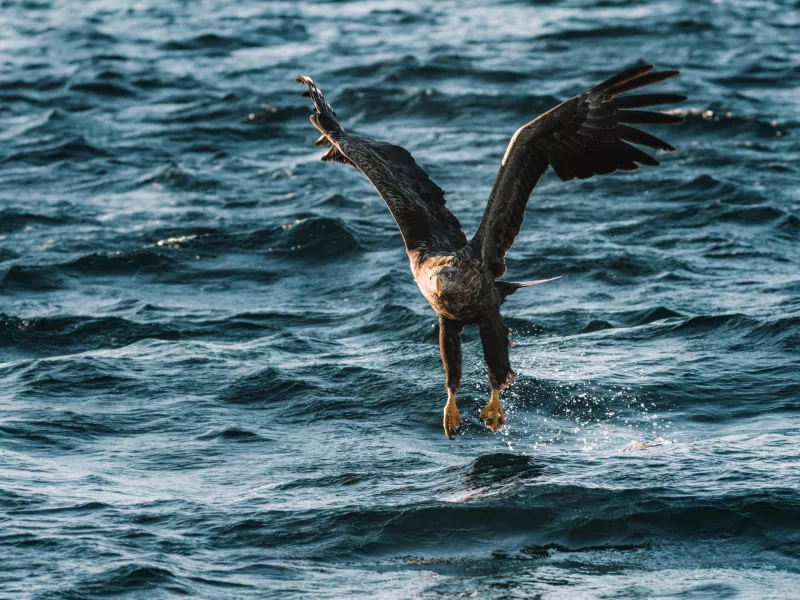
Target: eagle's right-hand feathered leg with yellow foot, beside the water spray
{"type": "Point", "coordinates": [494, 338]}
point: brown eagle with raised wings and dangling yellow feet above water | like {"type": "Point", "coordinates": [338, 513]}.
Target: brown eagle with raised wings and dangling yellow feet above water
{"type": "Point", "coordinates": [587, 135]}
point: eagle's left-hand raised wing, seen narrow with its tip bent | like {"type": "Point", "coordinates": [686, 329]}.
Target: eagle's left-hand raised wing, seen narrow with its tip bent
{"type": "Point", "coordinates": [416, 203]}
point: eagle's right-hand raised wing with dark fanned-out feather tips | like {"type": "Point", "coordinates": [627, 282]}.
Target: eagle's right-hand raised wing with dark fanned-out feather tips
{"type": "Point", "coordinates": [582, 137]}
